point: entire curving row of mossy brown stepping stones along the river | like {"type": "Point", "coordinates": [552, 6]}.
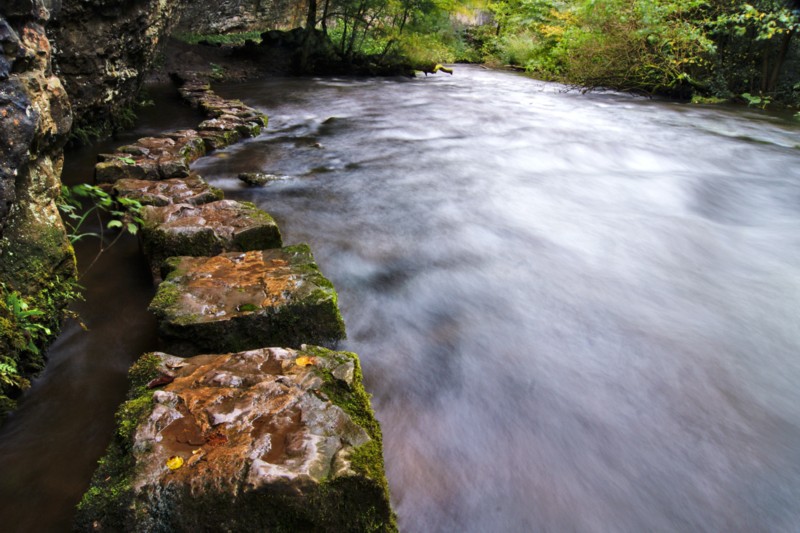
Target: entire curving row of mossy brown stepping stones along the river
{"type": "Point", "coordinates": [261, 432]}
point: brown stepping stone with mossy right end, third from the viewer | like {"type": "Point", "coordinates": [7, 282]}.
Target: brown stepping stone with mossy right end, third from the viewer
{"type": "Point", "coordinates": [205, 230]}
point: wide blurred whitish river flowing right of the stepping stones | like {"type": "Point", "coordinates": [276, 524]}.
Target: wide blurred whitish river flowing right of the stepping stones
{"type": "Point", "coordinates": [575, 312]}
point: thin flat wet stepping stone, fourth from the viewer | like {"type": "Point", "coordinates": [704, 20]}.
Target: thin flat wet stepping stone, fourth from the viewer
{"type": "Point", "coordinates": [192, 190]}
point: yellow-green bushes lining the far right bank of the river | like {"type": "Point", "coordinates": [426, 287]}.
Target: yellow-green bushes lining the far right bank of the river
{"type": "Point", "coordinates": [708, 48]}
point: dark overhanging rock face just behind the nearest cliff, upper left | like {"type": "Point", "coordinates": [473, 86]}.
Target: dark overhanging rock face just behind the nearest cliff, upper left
{"type": "Point", "coordinates": [105, 48]}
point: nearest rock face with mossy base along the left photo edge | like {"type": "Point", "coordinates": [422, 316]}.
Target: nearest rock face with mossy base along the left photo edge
{"type": "Point", "coordinates": [36, 259]}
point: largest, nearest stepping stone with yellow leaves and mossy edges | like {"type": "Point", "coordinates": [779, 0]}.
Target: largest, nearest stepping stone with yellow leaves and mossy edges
{"type": "Point", "coordinates": [263, 440]}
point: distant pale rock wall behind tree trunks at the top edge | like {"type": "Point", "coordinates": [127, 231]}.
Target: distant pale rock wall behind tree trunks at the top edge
{"type": "Point", "coordinates": [231, 16]}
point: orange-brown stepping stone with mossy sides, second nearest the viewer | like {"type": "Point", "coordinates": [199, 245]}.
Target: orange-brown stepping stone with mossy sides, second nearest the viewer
{"type": "Point", "coordinates": [242, 301]}
